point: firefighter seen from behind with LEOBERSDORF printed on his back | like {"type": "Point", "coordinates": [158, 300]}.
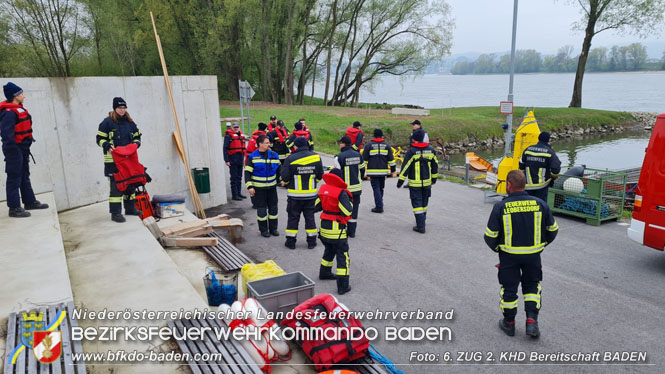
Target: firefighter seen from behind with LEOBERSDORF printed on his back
{"type": "Point", "coordinates": [518, 229]}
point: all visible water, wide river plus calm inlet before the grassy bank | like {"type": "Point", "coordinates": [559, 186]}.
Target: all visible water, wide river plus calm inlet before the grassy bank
{"type": "Point", "coordinates": [639, 92]}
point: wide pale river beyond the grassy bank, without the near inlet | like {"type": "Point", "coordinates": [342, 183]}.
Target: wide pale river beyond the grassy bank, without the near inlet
{"type": "Point", "coordinates": [639, 92]}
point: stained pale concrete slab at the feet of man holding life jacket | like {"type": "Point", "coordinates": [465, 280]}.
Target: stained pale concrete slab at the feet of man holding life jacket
{"type": "Point", "coordinates": [119, 266]}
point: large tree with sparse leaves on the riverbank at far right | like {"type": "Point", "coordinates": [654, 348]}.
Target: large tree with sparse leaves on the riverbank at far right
{"type": "Point", "coordinates": [639, 17]}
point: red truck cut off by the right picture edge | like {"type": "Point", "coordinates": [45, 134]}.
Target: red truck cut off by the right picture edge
{"type": "Point", "coordinates": [648, 224]}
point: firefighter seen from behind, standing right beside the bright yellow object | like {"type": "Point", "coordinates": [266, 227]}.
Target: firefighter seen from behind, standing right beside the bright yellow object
{"type": "Point", "coordinates": [541, 165]}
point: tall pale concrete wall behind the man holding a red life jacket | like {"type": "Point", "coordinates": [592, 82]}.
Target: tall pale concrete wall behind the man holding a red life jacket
{"type": "Point", "coordinates": [67, 111]}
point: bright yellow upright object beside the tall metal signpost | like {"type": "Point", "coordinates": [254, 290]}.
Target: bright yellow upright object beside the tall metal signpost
{"type": "Point", "coordinates": [525, 136]}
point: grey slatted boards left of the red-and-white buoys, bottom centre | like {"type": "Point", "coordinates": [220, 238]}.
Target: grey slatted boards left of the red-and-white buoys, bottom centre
{"type": "Point", "coordinates": [235, 358]}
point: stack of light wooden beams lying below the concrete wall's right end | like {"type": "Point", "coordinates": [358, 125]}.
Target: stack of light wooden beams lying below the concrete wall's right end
{"type": "Point", "coordinates": [194, 233]}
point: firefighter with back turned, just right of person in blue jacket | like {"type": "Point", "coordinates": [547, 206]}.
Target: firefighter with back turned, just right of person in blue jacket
{"type": "Point", "coordinates": [301, 173]}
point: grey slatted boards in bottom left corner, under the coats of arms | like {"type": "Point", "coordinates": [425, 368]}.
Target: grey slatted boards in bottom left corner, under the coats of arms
{"type": "Point", "coordinates": [26, 362]}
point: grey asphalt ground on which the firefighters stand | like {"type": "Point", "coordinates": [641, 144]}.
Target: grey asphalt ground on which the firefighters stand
{"type": "Point", "coordinates": [601, 292]}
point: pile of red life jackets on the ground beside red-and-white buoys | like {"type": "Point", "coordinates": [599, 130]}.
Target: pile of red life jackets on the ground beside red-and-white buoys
{"type": "Point", "coordinates": [325, 353]}
